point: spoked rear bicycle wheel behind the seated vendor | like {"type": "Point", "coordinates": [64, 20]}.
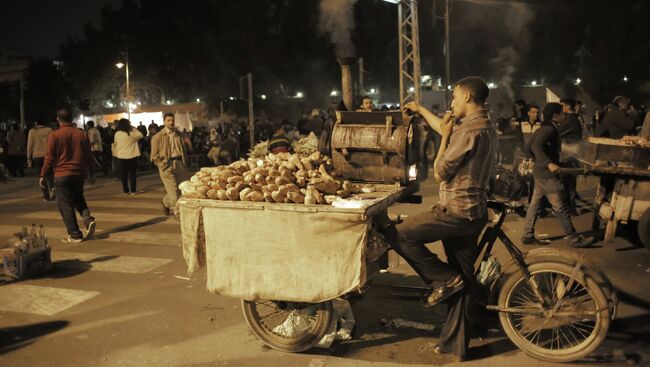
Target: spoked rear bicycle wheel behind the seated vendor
{"type": "Point", "coordinates": [570, 332]}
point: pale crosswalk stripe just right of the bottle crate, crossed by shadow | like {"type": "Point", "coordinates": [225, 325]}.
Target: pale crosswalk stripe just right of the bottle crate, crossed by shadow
{"type": "Point", "coordinates": [113, 263]}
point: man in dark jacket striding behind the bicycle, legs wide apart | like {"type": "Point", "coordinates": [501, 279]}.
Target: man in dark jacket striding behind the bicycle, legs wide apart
{"type": "Point", "coordinates": [545, 146]}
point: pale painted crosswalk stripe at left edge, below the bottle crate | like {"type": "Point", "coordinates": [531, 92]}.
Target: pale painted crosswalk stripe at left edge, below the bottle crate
{"type": "Point", "coordinates": [46, 301]}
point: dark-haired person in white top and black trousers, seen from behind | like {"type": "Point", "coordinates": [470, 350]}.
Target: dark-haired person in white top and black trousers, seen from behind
{"type": "Point", "coordinates": [127, 151]}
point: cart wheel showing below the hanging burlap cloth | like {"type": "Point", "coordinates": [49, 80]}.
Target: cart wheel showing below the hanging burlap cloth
{"type": "Point", "coordinates": [288, 326]}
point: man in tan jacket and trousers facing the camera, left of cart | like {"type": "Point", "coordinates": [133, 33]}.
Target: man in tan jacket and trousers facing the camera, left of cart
{"type": "Point", "coordinates": [168, 154]}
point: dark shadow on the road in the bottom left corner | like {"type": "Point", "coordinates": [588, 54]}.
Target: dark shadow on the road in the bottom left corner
{"type": "Point", "coordinates": [16, 337]}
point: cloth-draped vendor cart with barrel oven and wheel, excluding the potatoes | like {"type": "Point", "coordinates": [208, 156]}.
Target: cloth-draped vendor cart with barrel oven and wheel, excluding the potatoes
{"type": "Point", "coordinates": [306, 255]}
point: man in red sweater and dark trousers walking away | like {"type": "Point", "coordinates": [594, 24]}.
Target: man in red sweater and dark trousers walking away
{"type": "Point", "coordinates": [68, 156]}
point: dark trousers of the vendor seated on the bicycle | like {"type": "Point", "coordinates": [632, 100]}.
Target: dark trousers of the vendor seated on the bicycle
{"type": "Point", "coordinates": [459, 237]}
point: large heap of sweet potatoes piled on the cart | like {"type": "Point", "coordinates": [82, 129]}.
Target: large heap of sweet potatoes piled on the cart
{"type": "Point", "coordinates": [276, 178]}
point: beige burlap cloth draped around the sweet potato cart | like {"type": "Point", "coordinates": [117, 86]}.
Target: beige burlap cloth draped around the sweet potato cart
{"type": "Point", "coordinates": [290, 252]}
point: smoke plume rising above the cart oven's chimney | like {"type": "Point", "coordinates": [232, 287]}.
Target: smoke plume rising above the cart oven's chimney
{"type": "Point", "coordinates": [337, 20]}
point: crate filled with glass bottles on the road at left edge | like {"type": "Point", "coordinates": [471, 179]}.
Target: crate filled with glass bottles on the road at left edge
{"type": "Point", "coordinates": [31, 254]}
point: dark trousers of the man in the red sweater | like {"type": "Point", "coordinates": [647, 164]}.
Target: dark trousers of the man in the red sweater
{"type": "Point", "coordinates": [70, 196]}
